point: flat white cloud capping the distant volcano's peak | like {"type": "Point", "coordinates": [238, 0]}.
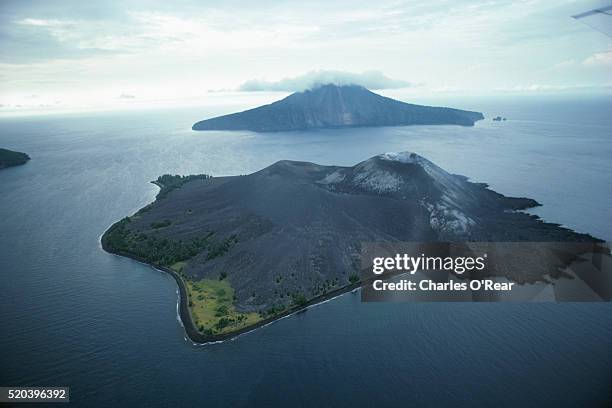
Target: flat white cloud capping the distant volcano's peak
{"type": "Point", "coordinates": [311, 79]}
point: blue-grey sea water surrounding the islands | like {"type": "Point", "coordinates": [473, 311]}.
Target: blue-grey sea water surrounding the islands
{"type": "Point", "coordinates": [73, 315]}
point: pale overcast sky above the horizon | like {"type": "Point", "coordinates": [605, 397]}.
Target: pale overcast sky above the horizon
{"type": "Point", "coordinates": [89, 54]}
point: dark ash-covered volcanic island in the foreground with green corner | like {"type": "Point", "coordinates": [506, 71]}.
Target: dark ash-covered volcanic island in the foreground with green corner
{"type": "Point", "coordinates": [247, 250]}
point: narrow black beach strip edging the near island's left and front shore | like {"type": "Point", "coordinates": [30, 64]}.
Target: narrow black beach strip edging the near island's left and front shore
{"type": "Point", "coordinates": [185, 314]}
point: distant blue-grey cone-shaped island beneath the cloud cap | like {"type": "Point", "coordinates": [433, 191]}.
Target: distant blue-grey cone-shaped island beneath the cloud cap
{"type": "Point", "coordinates": [336, 106]}
